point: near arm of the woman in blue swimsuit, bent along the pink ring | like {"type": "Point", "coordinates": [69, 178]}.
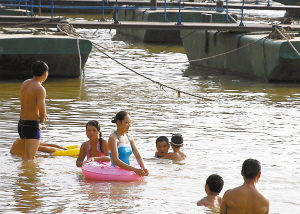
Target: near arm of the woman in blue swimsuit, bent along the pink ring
{"type": "Point", "coordinates": [115, 157]}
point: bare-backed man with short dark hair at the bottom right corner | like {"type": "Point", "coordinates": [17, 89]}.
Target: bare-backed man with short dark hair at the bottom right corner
{"type": "Point", "coordinates": [246, 198]}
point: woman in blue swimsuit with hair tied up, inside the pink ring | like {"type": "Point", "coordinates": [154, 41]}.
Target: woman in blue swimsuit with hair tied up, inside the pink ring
{"type": "Point", "coordinates": [121, 145]}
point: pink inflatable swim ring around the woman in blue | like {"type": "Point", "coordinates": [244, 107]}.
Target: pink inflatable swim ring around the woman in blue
{"type": "Point", "coordinates": [104, 171]}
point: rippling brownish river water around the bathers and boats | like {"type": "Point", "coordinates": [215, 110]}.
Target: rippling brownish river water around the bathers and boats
{"type": "Point", "coordinates": [246, 119]}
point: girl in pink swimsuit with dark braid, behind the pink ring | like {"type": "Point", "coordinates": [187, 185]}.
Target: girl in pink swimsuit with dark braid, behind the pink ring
{"type": "Point", "coordinates": [96, 148]}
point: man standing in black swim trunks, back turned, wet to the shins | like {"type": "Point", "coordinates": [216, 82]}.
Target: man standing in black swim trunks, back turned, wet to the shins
{"type": "Point", "coordinates": [33, 109]}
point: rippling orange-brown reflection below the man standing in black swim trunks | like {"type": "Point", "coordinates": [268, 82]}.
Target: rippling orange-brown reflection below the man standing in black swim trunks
{"type": "Point", "coordinates": [27, 195]}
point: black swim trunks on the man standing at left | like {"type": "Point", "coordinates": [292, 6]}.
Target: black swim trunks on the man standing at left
{"type": "Point", "coordinates": [29, 129]}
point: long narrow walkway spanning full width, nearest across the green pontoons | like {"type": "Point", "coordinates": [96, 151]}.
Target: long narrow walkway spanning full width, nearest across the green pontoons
{"type": "Point", "coordinates": [26, 21]}
